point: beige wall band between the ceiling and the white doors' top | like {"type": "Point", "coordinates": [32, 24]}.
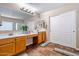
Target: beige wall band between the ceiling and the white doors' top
{"type": "Point", "coordinates": [60, 10]}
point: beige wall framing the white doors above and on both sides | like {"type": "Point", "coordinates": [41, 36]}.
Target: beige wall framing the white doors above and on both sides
{"type": "Point", "coordinates": [63, 9]}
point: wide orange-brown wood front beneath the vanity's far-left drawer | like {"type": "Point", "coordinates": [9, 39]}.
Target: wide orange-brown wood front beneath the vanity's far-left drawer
{"type": "Point", "coordinates": [7, 49]}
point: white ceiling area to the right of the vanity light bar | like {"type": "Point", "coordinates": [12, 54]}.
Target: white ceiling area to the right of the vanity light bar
{"type": "Point", "coordinates": [43, 7]}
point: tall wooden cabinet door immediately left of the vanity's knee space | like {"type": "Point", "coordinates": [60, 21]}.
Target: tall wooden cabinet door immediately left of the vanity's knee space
{"type": "Point", "coordinates": [20, 44]}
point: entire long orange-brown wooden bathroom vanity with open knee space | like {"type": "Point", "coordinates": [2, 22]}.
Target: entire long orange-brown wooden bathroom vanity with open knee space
{"type": "Point", "coordinates": [12, 45]}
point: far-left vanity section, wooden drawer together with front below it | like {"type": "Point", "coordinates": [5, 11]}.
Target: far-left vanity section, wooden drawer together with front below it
{"type": "Point", "coordinates": [7, 47]}
